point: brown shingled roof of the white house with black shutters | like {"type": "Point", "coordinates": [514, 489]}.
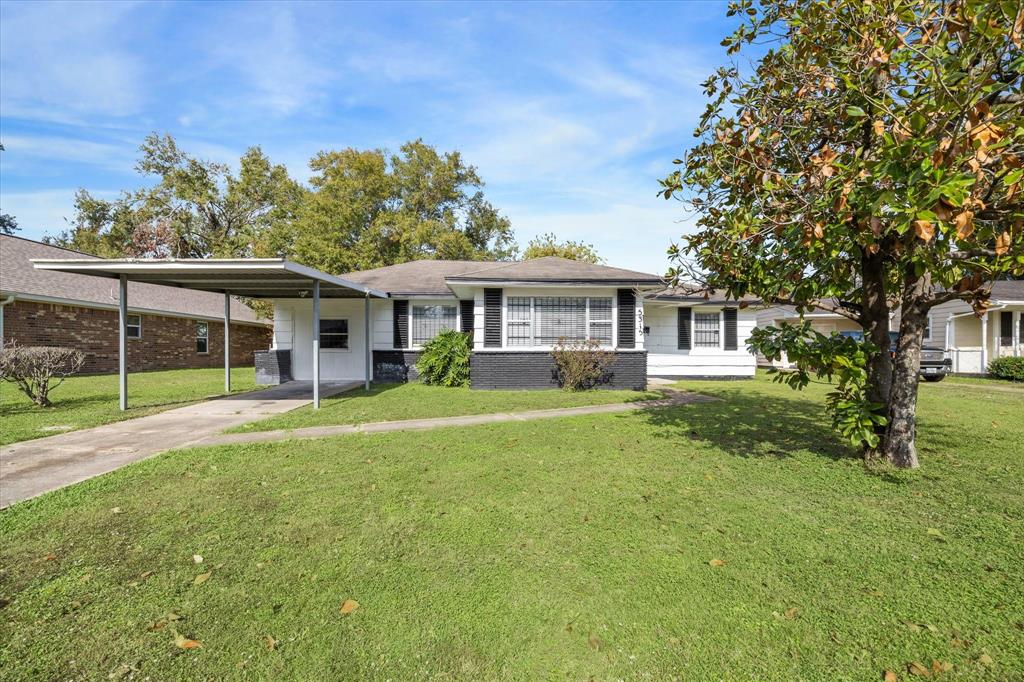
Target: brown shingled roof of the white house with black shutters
{"type": "Point", "coordinates": [432, 278]}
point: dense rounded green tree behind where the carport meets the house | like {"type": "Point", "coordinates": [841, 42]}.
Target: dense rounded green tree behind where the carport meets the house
{"type": "Point", "coordinates": [371, 208]}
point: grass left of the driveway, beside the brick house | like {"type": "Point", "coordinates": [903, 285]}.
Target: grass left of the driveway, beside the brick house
{"type": "Point", "coordinates": [84, 402]}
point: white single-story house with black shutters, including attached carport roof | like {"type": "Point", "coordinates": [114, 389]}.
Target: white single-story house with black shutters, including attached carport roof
{"type": "Point", "coordinates": [373, 324]}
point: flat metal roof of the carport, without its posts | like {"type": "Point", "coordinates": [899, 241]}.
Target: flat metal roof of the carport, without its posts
{"type": "Point", "coordinates": [252, 278]}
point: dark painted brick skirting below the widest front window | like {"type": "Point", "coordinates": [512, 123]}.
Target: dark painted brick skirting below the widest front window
{"type": "Point", "coordinates": [536, 369]}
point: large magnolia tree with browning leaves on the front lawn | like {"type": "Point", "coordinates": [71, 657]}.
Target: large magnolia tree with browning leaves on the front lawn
{"type": "Point", "coordinates": [868, 158]}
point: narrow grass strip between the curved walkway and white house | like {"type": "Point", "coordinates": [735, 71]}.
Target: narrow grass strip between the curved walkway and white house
{"type": "Point", "coordinates": [397, 402]}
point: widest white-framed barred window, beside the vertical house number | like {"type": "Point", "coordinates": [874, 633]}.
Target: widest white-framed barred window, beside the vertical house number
{"type": "Point", "coordinates": [543, 321]}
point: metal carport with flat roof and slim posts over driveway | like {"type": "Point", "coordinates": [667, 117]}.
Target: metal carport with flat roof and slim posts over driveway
{"type": "Point", "coordinates": [249, 278]}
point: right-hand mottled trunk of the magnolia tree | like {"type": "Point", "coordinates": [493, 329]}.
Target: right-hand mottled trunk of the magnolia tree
{"type": "Point", "coordinates": [900, 446]}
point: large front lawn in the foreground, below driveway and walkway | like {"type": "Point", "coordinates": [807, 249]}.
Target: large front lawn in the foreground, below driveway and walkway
{"type": "Point", "coordinates": [576, 548]}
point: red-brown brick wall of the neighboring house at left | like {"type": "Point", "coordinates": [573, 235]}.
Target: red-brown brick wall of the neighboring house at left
{"type": "Point", "coordinates": [167, 344]}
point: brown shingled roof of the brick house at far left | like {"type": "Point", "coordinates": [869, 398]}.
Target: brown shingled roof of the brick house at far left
{"type": "Point", "coordinates": [19, 278]}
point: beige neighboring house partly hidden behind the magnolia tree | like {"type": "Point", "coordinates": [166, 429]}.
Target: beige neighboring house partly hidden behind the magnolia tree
{"type": "Point", "coordinates": [971, 342]}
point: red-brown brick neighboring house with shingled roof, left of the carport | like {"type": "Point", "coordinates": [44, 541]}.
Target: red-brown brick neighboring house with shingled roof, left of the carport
{"type": "Point", "coordinates": [166, 324]}
